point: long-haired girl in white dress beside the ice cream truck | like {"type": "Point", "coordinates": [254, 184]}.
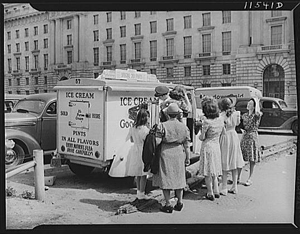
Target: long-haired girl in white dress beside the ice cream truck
{"type": "Point", "coordinates": [137, 135]}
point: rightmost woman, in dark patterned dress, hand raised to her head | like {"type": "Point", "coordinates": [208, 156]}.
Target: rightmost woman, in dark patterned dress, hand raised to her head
{"type": "Point", "coordinates": [249, 141]}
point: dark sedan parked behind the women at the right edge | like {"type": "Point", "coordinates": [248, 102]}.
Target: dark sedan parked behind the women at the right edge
{"type": "Point", "coordinates": [276, 114]}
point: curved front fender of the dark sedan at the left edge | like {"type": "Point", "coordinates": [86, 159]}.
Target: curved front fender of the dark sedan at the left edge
{"type": "Point", "coordinates": [30, 143]}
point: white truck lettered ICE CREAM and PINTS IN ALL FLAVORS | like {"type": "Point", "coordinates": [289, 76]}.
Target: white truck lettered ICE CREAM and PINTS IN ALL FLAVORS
{"type": "Point", "coordinates": [94, 117]}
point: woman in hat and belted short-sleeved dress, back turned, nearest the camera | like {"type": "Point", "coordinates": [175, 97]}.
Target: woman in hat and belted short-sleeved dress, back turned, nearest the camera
{"type": "Point", "coordinates": [174, 138]}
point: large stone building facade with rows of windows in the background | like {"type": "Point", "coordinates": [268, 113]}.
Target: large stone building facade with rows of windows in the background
{"type": "Point", "coordinates": [198, 48]}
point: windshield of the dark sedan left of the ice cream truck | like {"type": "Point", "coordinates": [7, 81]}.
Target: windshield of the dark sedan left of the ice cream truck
{"type": "Point", "coordinates": [35, 106]}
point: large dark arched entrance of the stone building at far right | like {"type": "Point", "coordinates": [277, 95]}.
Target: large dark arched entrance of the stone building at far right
{"type": "Point", "coordinates": [273, 78]}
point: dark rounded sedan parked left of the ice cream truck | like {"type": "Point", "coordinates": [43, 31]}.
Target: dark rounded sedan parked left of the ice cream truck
{"type": "Point", "coordinates": [31, 125]}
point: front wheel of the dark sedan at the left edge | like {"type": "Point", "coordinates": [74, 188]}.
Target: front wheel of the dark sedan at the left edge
{"type": "Point", "coordinates": [14, 156]}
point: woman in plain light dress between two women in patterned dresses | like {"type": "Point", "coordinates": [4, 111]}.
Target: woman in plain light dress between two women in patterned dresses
{"type": "Point", "coordinates": [231, 154]}
